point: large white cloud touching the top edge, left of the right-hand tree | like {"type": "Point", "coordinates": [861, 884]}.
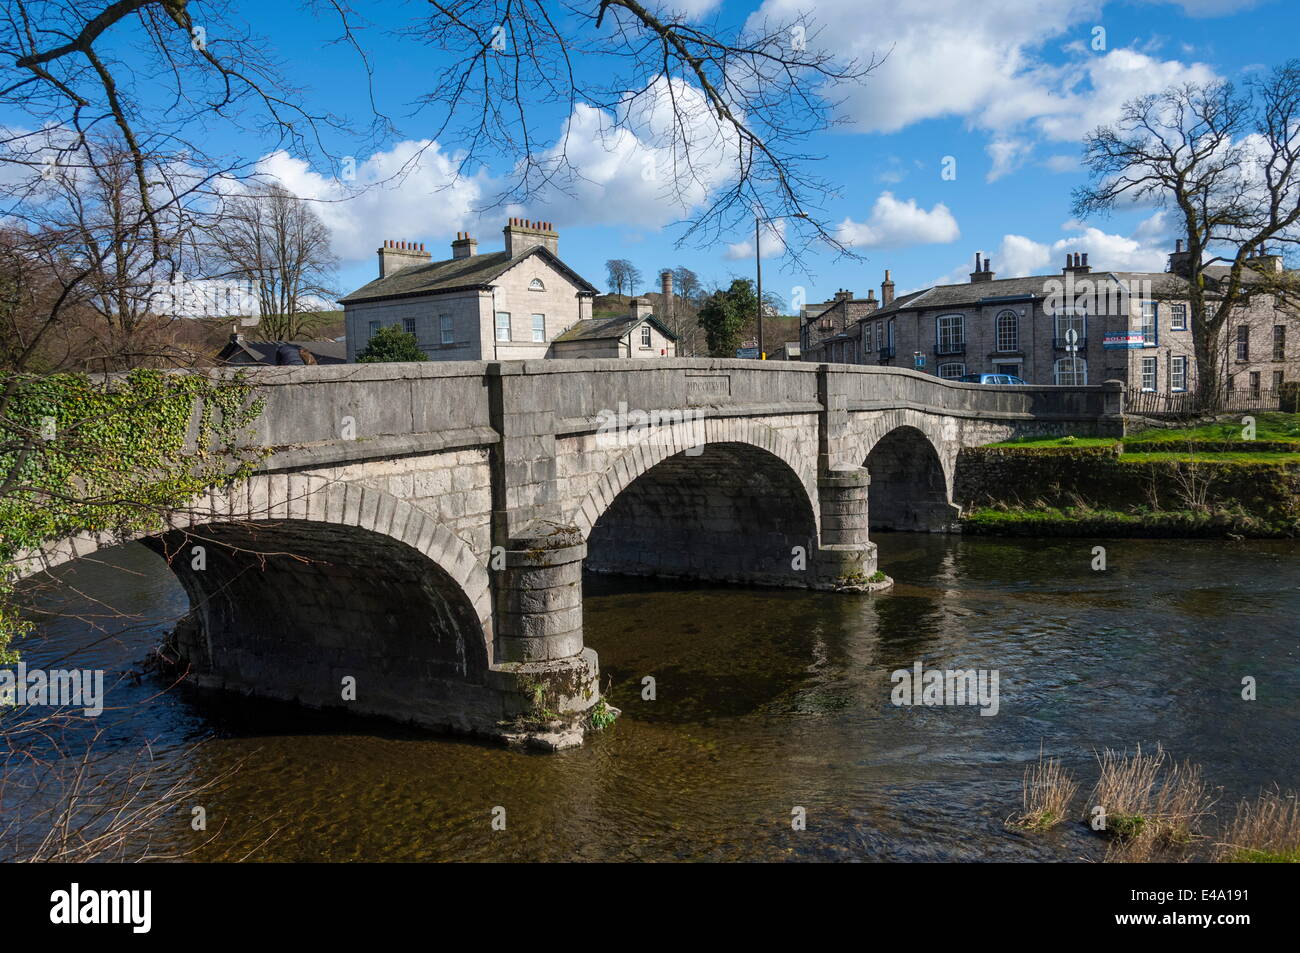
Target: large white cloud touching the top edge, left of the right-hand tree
{"type": "Point", "coordinates": [985, 63]}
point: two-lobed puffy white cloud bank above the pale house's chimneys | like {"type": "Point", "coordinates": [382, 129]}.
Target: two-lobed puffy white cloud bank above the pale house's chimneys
{"type": "Point", "coordinates": [638, 168]}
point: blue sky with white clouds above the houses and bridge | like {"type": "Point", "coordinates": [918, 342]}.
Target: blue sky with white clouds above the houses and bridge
{"type": "Point", "coordinates": [1004, 88]}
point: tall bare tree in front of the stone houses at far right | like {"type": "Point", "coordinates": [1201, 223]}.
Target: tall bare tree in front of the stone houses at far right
{"type": "Point", "coordinates": [1227, 162]}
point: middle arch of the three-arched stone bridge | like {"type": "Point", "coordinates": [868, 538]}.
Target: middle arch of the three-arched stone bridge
{"type": "Point", "coordinates": [727, 510]}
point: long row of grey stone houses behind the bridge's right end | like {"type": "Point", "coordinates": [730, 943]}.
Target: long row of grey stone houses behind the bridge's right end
{"type": "Point", "coordinates": [1074, 328]}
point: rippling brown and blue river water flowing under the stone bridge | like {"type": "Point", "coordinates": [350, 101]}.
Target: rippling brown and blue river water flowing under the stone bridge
{"type": "Point", "coordinates": [765, 701]}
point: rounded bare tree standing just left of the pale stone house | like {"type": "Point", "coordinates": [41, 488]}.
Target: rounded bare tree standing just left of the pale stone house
{"type": "Point", "coordinates": [276, 241]}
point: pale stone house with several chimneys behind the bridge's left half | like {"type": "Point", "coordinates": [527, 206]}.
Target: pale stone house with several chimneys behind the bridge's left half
{"type": "Point", "coordinates": [506, 305]}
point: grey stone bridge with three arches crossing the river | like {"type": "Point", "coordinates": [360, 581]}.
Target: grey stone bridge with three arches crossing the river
{"type": "Point", "coordinates": [421, 531]}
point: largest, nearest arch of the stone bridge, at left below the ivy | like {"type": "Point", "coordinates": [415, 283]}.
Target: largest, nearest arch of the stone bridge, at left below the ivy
{"type": "Point", "coordinates": [297, 583]}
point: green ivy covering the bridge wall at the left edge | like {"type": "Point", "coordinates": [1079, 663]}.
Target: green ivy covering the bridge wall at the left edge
{"type": "Point", "coordinates": [92, 454]}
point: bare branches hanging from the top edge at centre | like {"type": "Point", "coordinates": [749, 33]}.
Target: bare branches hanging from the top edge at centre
{"type": "Point", "coordinates": [746, 102]}
